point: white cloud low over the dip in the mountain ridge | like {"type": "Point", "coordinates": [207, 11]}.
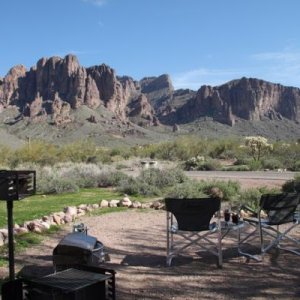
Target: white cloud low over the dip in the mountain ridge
{"type": "Point", "coordinates": [194, 79]}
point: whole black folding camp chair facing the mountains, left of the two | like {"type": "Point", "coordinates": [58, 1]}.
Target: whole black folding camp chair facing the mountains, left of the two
{"type": "Point", "coordinates": [189, 220]}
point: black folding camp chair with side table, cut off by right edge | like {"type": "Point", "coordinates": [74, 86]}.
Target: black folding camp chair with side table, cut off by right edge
{"type": "Point", "coordinates": [273, 222]}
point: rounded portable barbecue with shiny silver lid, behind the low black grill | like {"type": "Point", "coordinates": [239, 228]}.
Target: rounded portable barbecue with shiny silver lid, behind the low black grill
{"type": "Point", "coordinates": [78, 248]}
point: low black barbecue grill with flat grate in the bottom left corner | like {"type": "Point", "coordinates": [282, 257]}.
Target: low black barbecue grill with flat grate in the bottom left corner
{"type": "Point", "coordinates": [79, 283]}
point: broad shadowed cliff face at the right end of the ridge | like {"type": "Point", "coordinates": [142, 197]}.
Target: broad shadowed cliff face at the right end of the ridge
{"type": "Point", "coordinates": [249, 99]}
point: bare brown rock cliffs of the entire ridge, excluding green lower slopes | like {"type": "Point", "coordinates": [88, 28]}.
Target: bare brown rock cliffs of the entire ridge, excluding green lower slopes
{"type": "Point", "coordinates": [56, 86]}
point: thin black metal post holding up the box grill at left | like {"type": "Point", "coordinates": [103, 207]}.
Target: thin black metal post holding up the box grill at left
{"type": "Point", "coordinates": [10, 225]}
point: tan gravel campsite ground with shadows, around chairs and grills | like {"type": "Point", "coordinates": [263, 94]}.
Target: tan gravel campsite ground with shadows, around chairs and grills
{"type": "Point", "coordinates": [136, 242]}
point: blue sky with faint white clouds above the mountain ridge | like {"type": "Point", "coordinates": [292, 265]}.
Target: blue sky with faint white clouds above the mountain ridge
{"type": "Point", "coordinates": [196, 42]}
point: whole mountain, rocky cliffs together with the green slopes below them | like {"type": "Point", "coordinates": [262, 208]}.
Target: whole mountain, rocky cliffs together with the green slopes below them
{"type": "Point", "coordinates": [62, 97]}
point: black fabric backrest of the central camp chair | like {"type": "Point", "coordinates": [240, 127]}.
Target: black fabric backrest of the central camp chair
{"type": "Point", "coordinates": [193, 214]}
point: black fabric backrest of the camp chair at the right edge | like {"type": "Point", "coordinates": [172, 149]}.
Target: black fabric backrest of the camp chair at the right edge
{"type": "Point", "coordinates": [280, 208]}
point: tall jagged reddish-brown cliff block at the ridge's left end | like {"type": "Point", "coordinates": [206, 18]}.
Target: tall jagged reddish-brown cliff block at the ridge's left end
{"type": "Point", "coordinates": [55, 83]}
